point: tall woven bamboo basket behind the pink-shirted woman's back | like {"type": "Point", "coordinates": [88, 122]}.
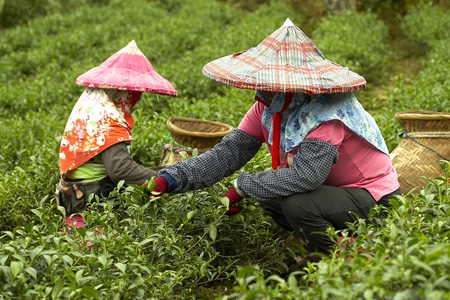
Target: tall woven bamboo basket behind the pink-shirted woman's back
{"type": "Point", "coordinates": [425, 141]}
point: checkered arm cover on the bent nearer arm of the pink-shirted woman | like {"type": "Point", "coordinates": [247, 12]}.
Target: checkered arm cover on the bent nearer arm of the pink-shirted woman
{"type": "Point", "coordinates": [311, 167]}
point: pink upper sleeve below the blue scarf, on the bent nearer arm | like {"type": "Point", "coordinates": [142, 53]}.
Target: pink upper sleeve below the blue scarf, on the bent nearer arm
{"type": "Point", "coordinates": [332, 132]}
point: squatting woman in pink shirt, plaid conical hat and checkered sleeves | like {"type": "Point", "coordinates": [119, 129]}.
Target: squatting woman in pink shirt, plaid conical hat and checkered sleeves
{"type": "Point", "coordinates": [329, 159]}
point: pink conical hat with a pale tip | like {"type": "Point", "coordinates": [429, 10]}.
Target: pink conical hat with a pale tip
{"type": "Point", "coordinates": [127, 69]}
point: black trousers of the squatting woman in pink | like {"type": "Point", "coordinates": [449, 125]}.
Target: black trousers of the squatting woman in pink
{"type": "Point", "coordinates": [315, 211]}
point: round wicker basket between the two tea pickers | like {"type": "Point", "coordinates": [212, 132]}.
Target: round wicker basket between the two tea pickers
{"type": "Point", "coordinates": [194, 133]}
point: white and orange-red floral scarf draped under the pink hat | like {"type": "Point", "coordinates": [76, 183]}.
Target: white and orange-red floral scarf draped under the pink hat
{"type": "Point", "coordinates": [100, 118]}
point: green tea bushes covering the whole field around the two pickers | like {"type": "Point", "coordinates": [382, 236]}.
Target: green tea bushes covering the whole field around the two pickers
{"type": "Point", "coordinates": [183, 246]}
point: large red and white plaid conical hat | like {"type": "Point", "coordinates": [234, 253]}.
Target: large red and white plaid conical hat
{"type": "Point", "coordinates": [286, 61]}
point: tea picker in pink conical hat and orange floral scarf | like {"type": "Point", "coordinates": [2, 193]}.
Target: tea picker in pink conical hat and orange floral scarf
{"type": "Point", "coordinates": [94, 153]}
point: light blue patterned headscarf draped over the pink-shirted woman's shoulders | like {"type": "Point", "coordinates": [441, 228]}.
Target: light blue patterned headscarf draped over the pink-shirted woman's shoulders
{"type": "Point", "coordinates": [306, 112]}
